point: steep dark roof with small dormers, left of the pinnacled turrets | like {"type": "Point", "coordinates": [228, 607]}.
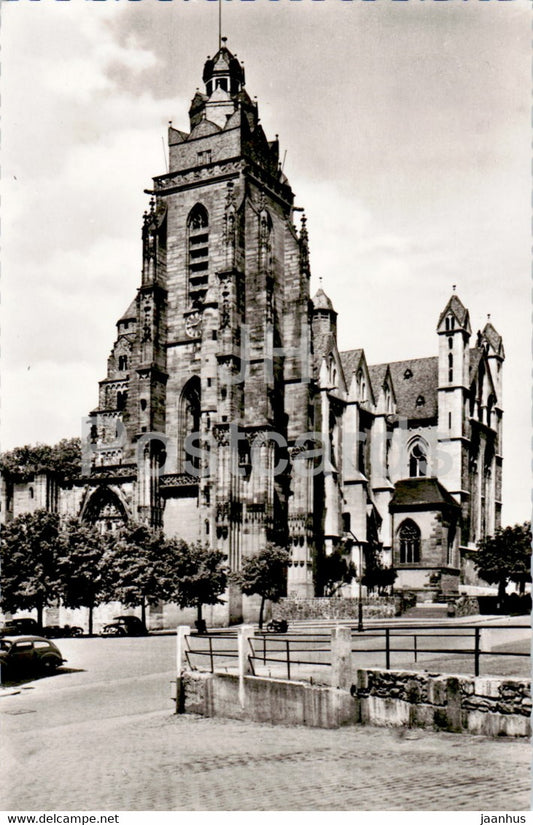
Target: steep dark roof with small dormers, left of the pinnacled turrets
{"type": "Point", "coordinates": [422, 383]}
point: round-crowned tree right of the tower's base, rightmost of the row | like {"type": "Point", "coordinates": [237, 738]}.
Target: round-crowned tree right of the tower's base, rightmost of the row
{"type": "Point", "coordinates": [264, 574]}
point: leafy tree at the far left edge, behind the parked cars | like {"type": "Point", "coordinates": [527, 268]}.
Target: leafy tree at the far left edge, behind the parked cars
{"type": "Point", "coordinates": [29, 550]}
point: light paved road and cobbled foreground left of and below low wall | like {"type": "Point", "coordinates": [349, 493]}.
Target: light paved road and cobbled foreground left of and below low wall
{"type": "Point", "coordinates": [104, 737]}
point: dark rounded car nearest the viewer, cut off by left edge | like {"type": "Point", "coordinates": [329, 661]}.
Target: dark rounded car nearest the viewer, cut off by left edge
{"type": "Point", "coordinates": [28, 656]}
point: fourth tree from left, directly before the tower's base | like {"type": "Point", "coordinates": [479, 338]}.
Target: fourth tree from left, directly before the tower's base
{"type": "Point", "coordinates": [200, 577]}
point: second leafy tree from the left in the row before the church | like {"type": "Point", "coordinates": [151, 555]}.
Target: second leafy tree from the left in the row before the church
{"type": "Point", "coordinates": [82, 567]}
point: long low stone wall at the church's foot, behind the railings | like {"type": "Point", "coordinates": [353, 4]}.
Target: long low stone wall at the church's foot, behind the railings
{"type": "Point", "coordinates": [334, 608]}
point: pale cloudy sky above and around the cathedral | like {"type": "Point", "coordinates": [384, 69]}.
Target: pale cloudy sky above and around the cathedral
{"type": "Point", "coordinates": [404, 128]}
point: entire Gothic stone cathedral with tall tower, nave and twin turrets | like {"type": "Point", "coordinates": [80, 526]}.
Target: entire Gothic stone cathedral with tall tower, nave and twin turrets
{"type": "Point", "coordinates": [228, 414]}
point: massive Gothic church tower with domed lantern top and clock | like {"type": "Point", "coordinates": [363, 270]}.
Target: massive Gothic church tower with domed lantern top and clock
{"type": "Point", "coordinates": [208, 385]}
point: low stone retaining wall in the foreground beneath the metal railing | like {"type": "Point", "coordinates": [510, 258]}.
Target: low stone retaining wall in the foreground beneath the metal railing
{"type": "Point", "coordinates": [478, 705]}
